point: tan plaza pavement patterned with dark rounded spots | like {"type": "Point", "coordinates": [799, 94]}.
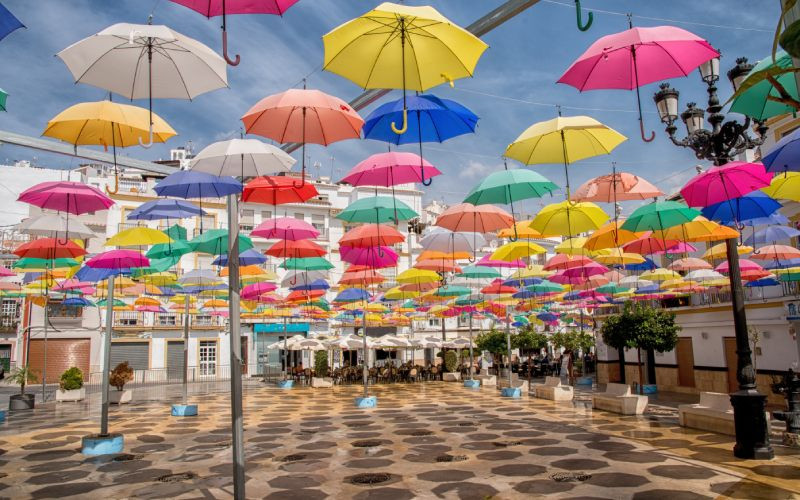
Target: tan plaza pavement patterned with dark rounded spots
{"type": "Point", "coordinates": [431, 440]}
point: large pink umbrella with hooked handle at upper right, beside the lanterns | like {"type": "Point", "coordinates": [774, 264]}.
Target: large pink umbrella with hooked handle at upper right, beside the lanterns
{"type": "Point", "coordinates": [636, 57]}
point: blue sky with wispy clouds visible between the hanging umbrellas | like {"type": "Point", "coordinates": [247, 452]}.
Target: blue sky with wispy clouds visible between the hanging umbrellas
{"type": "Point", "coordinates": [514, 84]}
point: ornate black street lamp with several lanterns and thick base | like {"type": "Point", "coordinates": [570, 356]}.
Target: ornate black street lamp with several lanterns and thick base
{"type": "Point", "coordinates": [719, 145]}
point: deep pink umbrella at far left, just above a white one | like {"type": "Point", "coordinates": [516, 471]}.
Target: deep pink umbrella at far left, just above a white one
{"type": "Point", "coordinates": [71, 197]}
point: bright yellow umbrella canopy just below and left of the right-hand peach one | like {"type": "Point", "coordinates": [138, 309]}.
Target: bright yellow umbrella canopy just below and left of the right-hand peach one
{"type": "Point", "coordinates": [568, 218]}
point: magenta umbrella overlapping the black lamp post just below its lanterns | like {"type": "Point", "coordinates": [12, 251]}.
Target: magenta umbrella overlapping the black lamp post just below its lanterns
{"type": "Point", "coordinates": [719, 184]}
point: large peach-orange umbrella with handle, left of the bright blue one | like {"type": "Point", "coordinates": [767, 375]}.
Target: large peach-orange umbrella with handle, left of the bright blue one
{"type": "Point", "coordinates": [304, 116]}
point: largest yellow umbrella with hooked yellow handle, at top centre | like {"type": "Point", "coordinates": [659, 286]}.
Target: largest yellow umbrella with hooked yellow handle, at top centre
{"type": "Point", "coordinates": [401, 47]}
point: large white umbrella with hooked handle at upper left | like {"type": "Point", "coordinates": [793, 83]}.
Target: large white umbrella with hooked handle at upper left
{"type": "Point", "coordinates": [145, 61]}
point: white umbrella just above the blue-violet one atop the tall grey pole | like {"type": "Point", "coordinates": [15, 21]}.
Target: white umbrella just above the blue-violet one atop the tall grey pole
{"type": "Point", "coordinates": [242, 158]}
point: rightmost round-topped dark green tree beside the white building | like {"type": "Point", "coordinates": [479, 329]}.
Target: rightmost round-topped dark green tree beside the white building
{"type": "Point", "coordinates": [641, 327]}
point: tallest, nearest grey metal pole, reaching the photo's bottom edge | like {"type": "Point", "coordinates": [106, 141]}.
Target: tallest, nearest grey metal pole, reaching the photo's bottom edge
{"type": "Point", "coordinates": [237, 431]}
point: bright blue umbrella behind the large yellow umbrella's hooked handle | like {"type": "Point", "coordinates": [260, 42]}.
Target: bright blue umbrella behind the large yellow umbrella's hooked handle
{"type": "Point", "coordinates": [430, 119]}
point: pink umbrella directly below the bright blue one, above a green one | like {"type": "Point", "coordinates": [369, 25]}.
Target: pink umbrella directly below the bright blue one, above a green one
{"type": "Point", "coordinates": [390, 169]}
